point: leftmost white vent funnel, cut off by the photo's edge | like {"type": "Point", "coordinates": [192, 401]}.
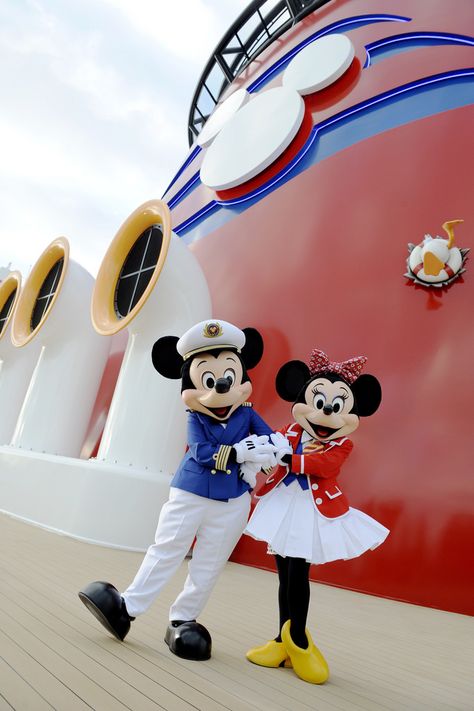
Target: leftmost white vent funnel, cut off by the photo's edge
{"type": "Point", "coordinates": [16, 365]}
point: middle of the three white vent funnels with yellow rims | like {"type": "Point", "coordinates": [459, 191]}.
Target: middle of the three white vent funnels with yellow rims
{"type": "Point", "coordinates": [53, 310]}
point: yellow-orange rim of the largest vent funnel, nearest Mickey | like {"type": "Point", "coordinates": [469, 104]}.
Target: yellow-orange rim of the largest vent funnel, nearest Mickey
{"type": "Point", "coordinates": [104, 317]}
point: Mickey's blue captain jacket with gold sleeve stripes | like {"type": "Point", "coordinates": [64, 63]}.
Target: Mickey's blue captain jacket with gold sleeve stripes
{"type": "Point", "coordinates": [204, 470]}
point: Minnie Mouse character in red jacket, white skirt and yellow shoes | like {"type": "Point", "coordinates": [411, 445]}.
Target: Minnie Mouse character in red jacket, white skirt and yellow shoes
{"type": "Point", "coordinates": [302, 512]}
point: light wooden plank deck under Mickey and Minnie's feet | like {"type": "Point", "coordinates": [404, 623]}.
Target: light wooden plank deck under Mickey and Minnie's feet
{"type": "Point", "coordinates": [383, 655]}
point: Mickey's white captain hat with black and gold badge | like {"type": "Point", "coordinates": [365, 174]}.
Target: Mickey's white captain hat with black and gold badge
{"type": "Point", "coordinates": [208, 335]}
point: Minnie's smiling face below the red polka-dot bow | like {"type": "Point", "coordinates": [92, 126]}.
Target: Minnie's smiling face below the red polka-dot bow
{"type": "Point", "coordinates": [325, 411]}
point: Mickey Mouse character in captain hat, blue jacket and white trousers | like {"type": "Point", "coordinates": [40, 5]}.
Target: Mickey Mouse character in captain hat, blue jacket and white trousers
{"type": "Point", "coordinates": [209, 496]}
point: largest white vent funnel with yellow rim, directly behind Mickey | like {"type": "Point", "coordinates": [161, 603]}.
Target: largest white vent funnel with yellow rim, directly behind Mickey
{"type": "Point", "coordinates": [150, 282]}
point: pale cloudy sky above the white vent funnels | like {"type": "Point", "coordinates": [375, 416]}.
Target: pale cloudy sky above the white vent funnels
{"type": "Point", "coordinates": [95, 96]}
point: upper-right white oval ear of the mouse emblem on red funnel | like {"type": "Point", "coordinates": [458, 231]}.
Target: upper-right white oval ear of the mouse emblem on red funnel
{"type": "Point", "coordinates": [319, 64]}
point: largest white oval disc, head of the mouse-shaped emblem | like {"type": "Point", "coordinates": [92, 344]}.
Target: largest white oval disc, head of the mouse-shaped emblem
{"type": "Point", "coordinates": [253, 138]}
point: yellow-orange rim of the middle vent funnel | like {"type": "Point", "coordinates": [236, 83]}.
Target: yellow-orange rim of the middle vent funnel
{"type": "Point", "coordinates": [22, 330]}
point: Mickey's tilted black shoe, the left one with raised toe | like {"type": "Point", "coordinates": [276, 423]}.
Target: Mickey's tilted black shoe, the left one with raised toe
{"type": "Point", "coordinates": [108, 606]}
